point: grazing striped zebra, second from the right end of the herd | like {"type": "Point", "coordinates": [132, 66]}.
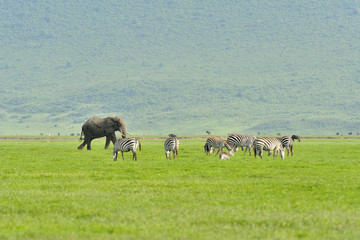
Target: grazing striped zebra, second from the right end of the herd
{"type": "Point", "coordinates": [270, 145]}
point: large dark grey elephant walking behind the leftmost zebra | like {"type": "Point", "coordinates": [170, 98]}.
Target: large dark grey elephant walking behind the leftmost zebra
{"type": "Point", "coordinates": [102, 127]}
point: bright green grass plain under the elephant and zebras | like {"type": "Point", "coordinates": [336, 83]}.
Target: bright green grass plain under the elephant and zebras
{"type": "Point", "coordinates": [50, 190]}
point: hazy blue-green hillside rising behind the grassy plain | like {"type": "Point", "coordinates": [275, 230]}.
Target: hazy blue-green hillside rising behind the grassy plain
{"type": "Point", "coordinates": [179, 66]}
